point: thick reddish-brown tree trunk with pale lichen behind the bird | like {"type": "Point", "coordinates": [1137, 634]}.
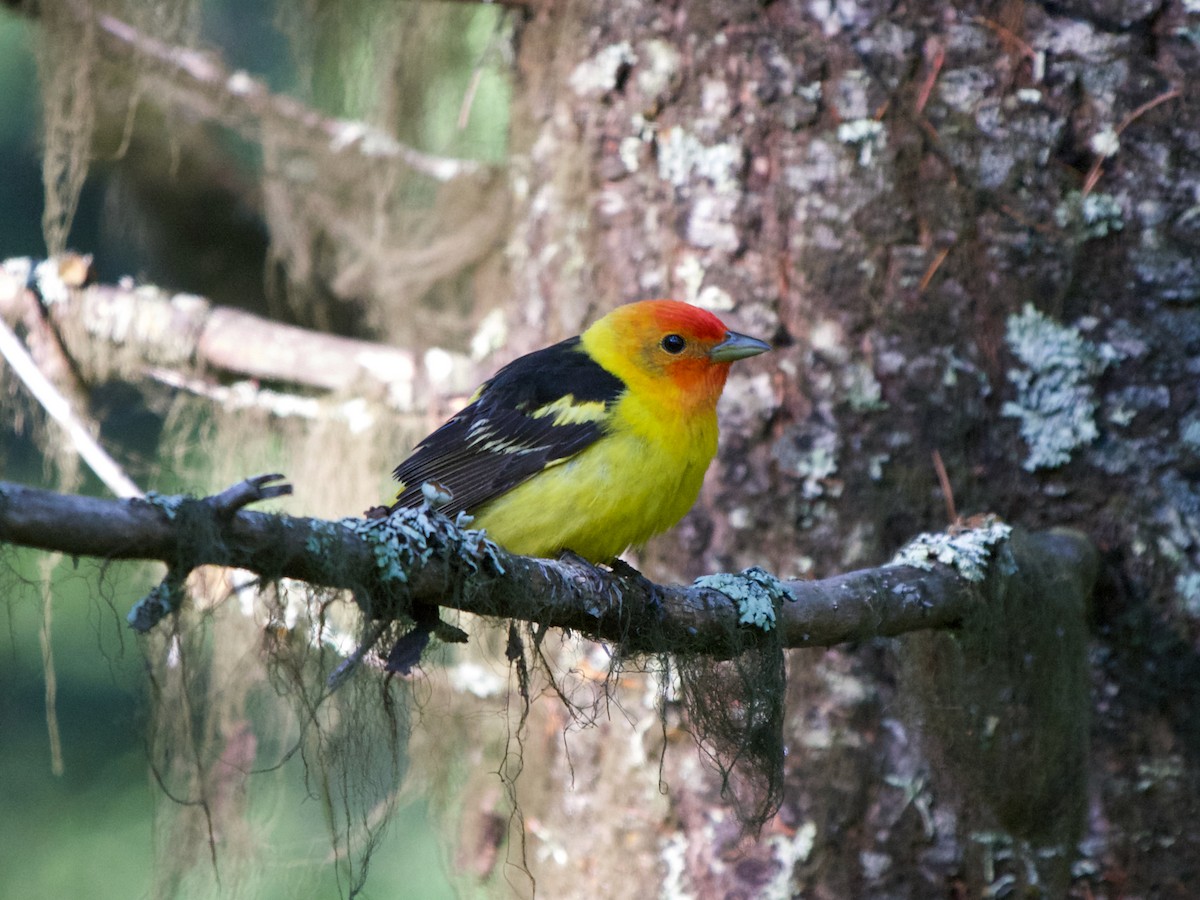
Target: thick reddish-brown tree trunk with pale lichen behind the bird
{"type": "Point", "coordinates": [884, 190]}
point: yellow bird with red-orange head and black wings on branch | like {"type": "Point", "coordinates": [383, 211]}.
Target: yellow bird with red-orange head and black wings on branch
{"type": "Point", "coordinates": [589, 447]}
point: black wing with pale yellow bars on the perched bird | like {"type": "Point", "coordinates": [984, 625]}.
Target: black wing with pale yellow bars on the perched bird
{"type": "Point", "coordinates": [539, 410]}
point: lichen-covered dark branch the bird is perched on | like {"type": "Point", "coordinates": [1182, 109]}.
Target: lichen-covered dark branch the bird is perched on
{"type": "Point", "coordinates": [423, 559]}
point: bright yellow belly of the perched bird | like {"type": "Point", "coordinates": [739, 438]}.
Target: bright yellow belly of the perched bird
{"type": "Point", "coordinates": [615, 495]}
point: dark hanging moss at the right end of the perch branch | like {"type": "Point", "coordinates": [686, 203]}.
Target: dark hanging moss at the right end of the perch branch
{"type": "Point", "coordinates": [1004, 705]}
